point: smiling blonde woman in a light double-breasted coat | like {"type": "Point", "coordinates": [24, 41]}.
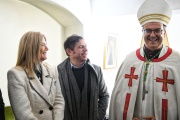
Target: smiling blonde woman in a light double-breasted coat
{"type": "Point", "coordinates": [33, 85]}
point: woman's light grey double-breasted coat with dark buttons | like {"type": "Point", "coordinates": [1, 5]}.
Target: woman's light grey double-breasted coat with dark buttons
{"type": "Point", "coordinates": [30, 100]}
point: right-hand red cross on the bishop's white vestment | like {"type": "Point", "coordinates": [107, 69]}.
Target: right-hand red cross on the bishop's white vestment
{"type": "Point", "coordinates": [165, 80]}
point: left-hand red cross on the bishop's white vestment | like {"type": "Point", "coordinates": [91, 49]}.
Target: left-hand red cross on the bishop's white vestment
{"type": "Point", "coordinates": [131, 76]}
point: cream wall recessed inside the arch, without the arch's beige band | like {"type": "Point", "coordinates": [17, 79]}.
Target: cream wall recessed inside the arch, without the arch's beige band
{"type": "Point", "coordinates": [17, 18]}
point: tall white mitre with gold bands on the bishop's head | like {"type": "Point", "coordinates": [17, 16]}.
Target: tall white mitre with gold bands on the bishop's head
{"type": "Point", "coordinates": [154, 11]}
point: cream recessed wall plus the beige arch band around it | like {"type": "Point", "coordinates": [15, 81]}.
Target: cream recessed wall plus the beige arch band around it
{"type": "Point", "coordinates": [20, 16]}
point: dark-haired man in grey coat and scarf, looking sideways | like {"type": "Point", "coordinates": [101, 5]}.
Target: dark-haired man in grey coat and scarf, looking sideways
{"type": "Point", "coordinates": [82, 83]}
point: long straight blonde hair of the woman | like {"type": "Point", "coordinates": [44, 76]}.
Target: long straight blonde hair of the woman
{"type": "Point", "coordinates": [29, 51]}
